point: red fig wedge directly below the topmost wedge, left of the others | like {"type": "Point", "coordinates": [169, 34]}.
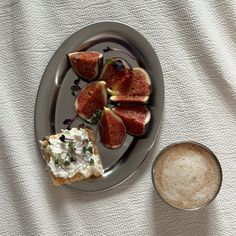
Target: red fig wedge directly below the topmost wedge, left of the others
{"type": "Point", "coordinates": [92, 97]}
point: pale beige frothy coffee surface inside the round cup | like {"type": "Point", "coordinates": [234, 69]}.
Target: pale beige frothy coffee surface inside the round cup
{"type": "Point", "coordinates": [187, 176]}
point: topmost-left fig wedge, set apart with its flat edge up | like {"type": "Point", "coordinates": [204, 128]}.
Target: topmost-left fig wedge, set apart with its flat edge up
{"type": "Point", "coordinates": [86, 64]}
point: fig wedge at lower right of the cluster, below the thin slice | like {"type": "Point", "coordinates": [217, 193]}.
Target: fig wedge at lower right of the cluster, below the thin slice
{"type": "Point", "coordinates": [136, 117]}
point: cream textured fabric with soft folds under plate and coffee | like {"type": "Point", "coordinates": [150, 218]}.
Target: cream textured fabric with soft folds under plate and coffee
{"type": "Point", "coordinates": [196, 44]}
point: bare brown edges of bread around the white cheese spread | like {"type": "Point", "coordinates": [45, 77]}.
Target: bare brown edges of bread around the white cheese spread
{"type": "Point", "coordinates": [78, 176]}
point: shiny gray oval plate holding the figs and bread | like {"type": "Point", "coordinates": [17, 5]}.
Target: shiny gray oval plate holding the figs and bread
{"type": "Point", "coordinates": [55, 103]}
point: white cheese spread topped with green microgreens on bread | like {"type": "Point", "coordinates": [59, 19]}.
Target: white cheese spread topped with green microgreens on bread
{"type": "Point", "coordinates": [71, 153]}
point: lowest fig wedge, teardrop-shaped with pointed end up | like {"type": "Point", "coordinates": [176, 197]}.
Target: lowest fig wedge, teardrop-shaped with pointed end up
{"type": "Point", "coordinates": [112, 129]}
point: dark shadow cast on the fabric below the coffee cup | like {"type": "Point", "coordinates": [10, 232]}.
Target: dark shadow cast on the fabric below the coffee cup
{"type": "Point", "coordinates": [170, 221]}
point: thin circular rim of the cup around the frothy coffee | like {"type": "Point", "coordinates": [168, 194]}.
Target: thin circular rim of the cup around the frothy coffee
{"type": "Point", "coordinates": [186, 142]}
